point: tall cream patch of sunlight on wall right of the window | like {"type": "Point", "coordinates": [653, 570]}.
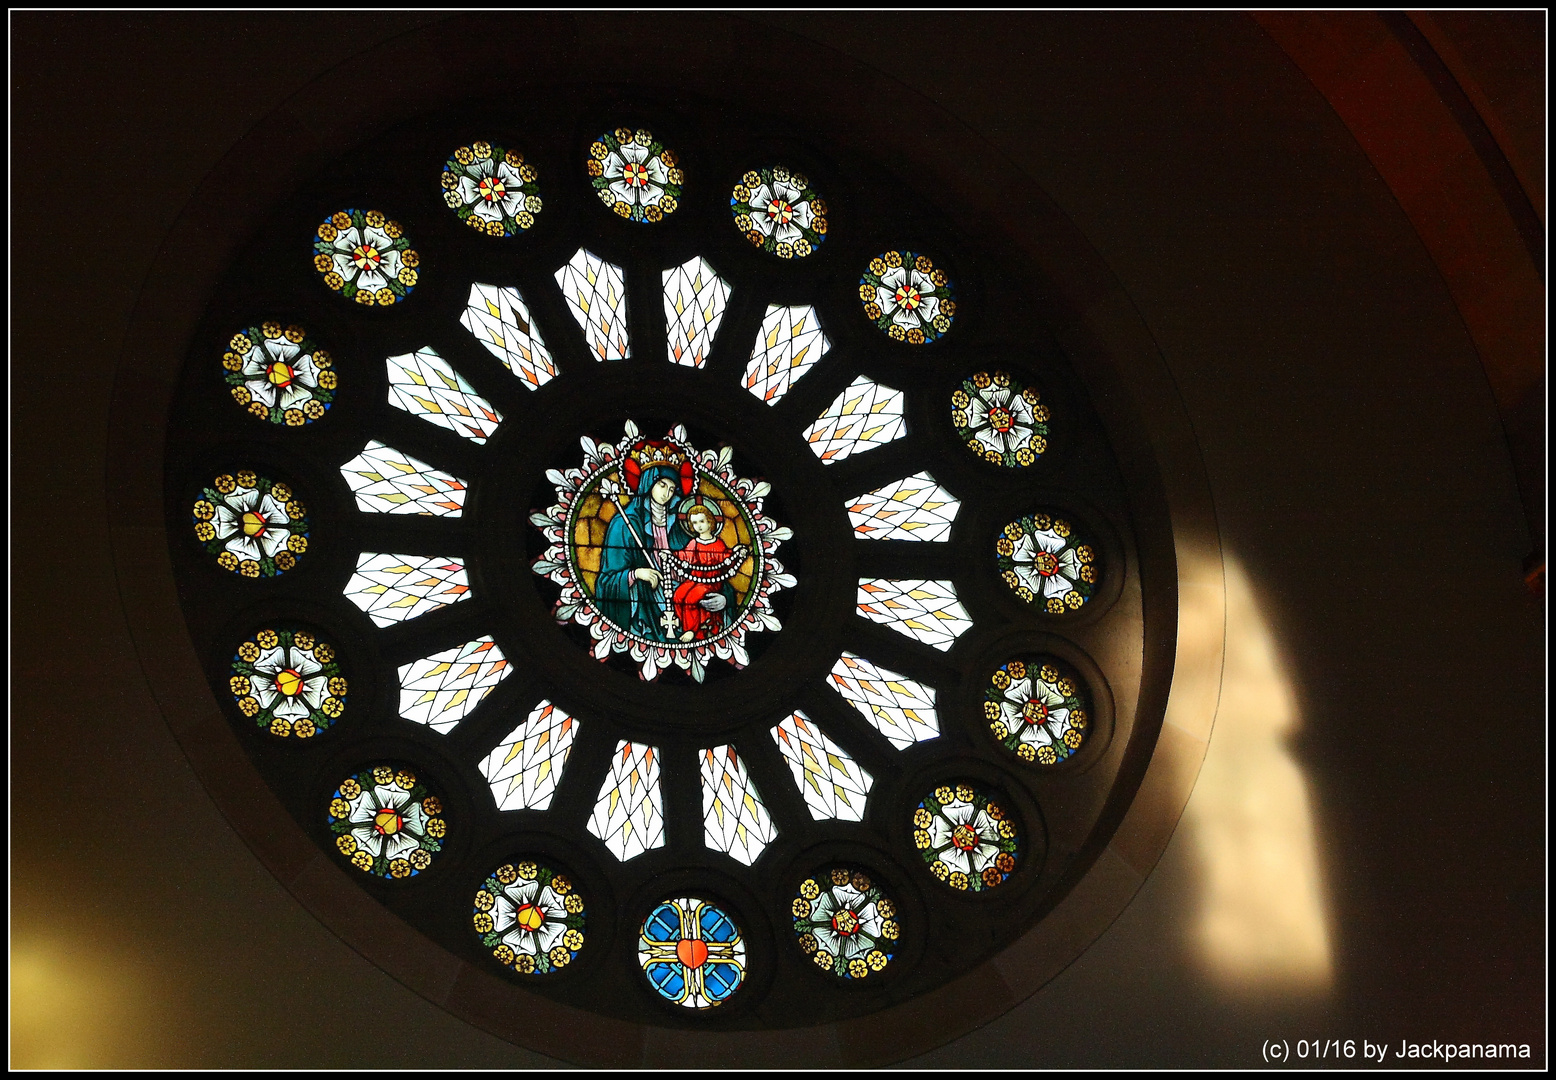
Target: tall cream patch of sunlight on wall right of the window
{"type": "Point", "coordinates": [1263, 922]}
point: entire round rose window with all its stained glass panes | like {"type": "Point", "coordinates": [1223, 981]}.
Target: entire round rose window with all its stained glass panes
{"type": "Point", "coordinates": [609, 589]}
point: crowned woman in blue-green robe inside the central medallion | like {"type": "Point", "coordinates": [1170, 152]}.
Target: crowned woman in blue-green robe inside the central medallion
{"type": "Point", "coordinates": [633, 589]}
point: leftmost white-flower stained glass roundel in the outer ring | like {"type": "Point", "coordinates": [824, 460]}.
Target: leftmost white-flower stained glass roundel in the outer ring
{"type": "Point", "coordinates": [251, 525]}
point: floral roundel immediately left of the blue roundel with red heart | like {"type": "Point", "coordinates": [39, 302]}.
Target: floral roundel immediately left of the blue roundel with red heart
{"type": "Point", "coordinates": [530, 917]}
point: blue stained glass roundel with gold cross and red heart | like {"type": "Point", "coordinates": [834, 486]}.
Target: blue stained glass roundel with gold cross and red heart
{"type": "Point", "coordinates": [692, 953]}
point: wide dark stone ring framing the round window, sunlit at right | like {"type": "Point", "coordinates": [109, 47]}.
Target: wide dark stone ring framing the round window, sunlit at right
{"type": "Point", "coordinates": [1088, 321]}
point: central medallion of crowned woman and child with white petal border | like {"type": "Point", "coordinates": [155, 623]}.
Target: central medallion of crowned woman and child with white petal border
{"type": "Point", "coordinates": [662, 552]}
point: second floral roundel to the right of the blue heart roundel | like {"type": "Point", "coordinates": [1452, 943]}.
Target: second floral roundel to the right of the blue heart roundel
{"type": "Point", "coordinates": [965, 838]}
